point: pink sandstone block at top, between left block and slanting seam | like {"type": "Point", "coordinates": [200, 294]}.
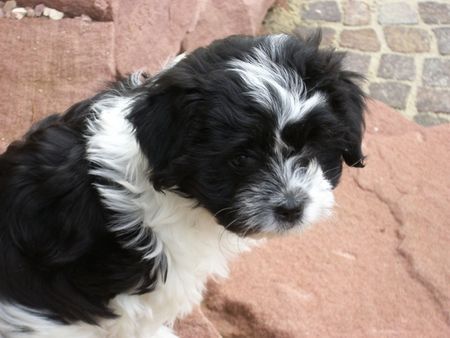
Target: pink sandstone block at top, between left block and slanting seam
{"type": "Point", "coordinates": [149, 33]}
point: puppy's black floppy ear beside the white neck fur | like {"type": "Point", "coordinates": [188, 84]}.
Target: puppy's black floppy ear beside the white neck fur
{"type": "Point", "coordinates": [165, 119]}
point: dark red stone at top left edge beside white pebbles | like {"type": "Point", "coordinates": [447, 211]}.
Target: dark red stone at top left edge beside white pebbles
{"type": "Point", "coordinates": [99, 10]}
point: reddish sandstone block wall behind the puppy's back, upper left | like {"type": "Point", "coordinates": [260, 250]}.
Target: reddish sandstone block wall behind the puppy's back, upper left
{"type": "Point", "coordinates": [47, 65]}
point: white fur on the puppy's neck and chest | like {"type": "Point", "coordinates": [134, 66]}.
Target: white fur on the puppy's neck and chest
{"type": "Point", "coordinates": [195, 245]}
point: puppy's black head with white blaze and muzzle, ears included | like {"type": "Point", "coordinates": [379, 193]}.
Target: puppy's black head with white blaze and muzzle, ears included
{"type": "Point", "coordinates": [255, 130]}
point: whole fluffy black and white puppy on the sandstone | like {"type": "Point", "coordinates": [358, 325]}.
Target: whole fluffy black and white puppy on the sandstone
{"type": "Point", "coordinates": [114, 214]}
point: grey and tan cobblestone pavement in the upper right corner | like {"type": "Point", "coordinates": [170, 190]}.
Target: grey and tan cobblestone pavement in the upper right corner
{"type": "Point", "coordinates": [402, 47]}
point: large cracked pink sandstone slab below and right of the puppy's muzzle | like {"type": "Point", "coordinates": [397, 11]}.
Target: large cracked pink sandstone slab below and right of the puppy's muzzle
{"type": "Point", "coordinates": [380, 267]}
